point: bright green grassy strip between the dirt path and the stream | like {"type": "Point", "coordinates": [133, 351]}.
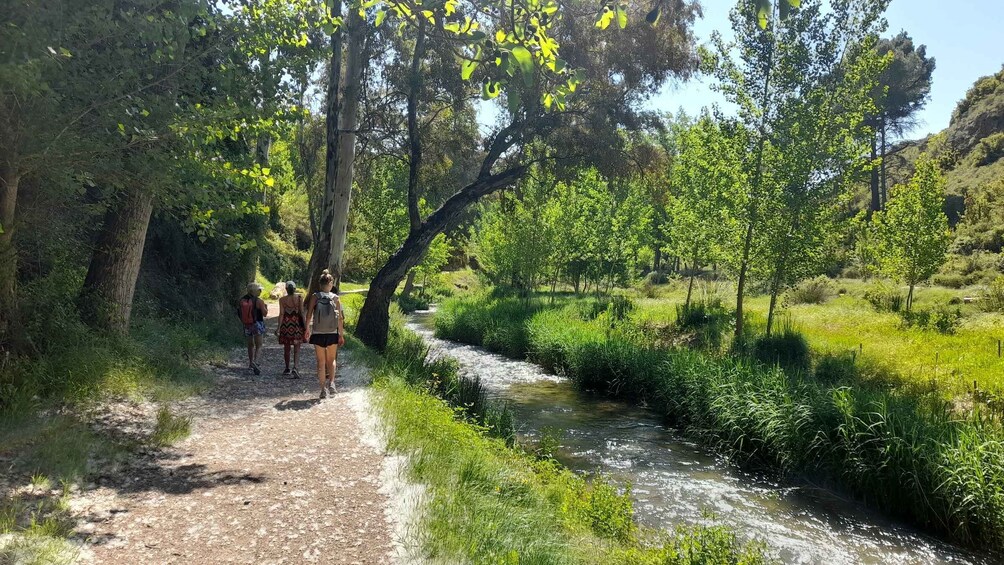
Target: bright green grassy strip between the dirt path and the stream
{"type": "Point", "coordinates": [491, 502]}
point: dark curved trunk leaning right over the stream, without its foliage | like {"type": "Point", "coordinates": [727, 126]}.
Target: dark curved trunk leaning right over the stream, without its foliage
{"type": "Point", "coordinates": [375, 320]}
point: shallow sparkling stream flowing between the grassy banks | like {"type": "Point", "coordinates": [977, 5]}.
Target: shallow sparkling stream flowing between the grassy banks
{"type": "Point", "coordinates": [675, 482]}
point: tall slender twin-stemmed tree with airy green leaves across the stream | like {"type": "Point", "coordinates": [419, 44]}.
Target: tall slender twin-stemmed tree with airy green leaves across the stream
{"type": "Point", "coordinates": [790, 72]}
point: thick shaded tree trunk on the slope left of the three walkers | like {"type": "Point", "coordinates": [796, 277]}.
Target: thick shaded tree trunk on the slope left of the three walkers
{"type": "Point", "coordinates": [107, 299]}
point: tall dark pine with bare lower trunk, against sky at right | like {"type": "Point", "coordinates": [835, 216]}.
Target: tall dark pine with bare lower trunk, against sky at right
{"type": "Point", "coordinates": [904, 89]}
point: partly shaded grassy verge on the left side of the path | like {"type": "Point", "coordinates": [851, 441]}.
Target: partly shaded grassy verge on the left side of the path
{"type": "Point", "coordinates": [49, 440]}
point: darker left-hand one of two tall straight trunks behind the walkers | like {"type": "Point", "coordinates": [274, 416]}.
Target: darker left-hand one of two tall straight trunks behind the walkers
{"type": "Point", "coordinates": [323, 246]}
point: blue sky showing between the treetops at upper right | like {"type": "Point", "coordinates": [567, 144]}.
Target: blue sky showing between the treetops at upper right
{"type": "Point", "coordinates": [964, 37]}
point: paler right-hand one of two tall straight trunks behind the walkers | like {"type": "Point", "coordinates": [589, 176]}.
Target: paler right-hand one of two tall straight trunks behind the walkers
{"type": "Point", "coordinates": [355, 64]}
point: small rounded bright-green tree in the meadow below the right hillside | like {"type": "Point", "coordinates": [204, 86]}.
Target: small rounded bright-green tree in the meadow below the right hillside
{"type": "Point", "coordinates": [910, 238]}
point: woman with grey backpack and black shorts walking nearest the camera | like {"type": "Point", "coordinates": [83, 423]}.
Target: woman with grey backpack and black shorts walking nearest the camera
{"type": "Point", "coordinates": [328, 332]}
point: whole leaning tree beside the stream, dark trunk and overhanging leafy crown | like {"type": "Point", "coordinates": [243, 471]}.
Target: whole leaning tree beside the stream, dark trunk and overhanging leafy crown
{"type": "Point", "coordinates": [514, 50]}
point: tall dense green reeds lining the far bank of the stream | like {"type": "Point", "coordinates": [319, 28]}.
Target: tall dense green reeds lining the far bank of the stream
{"type": "Point", "coordinates": [909, 455]}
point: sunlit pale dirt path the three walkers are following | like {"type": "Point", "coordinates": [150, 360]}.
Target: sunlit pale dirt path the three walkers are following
{"type": "Point", "coordinates": [271, 474]}
